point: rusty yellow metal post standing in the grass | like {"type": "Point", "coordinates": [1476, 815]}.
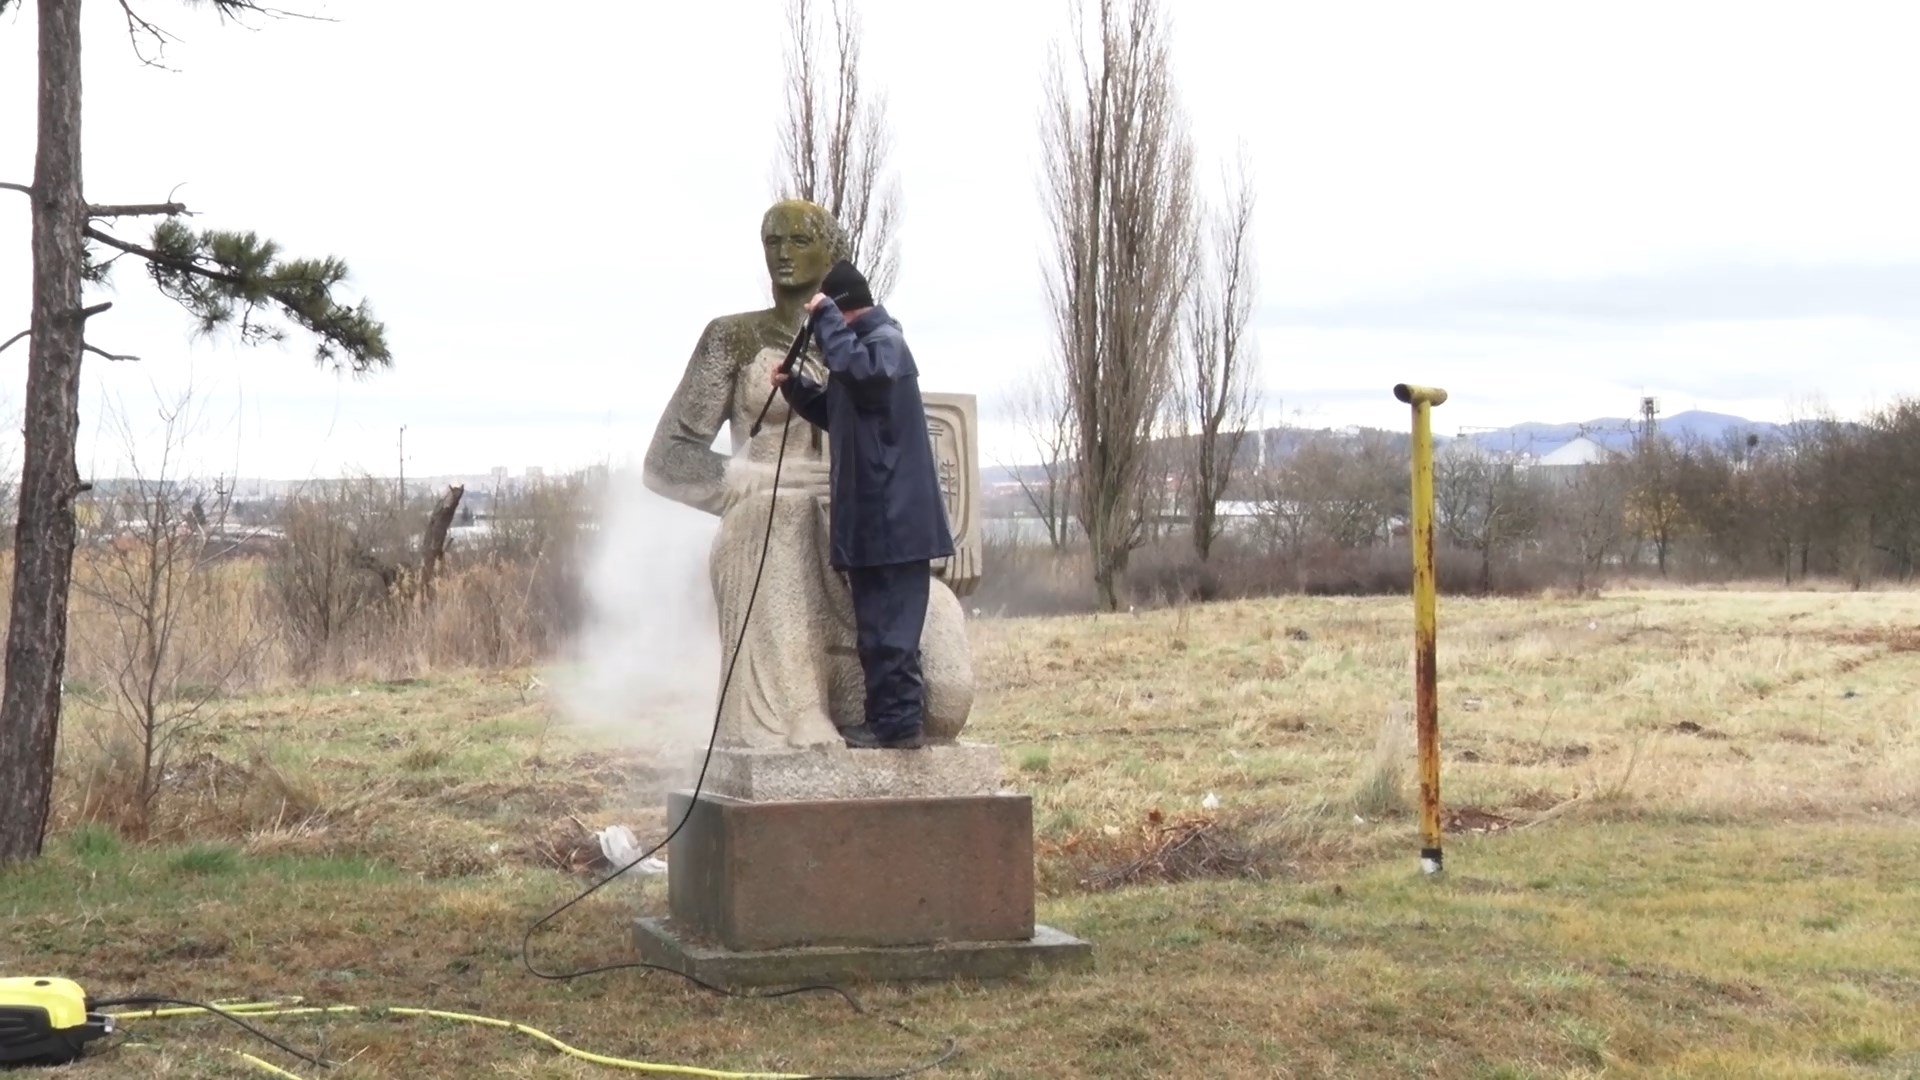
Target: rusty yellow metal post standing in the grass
{"type": "Point", "coordinates": [1426, 618]}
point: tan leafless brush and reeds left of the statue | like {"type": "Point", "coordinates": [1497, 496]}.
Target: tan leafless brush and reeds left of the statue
{"type": "Point", "coordinates": [185, 593]}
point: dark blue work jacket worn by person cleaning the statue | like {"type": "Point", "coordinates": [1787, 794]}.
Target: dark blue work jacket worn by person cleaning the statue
{"type": "Point", "coordinates": [886, 491]}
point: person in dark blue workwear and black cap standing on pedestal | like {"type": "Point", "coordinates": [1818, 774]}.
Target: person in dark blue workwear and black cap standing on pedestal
{"type": "Point", "coordinates": [888, 520]}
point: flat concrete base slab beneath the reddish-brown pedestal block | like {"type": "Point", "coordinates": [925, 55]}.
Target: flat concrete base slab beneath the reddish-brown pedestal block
{"type": "Point", "coordinates": [661, 945]}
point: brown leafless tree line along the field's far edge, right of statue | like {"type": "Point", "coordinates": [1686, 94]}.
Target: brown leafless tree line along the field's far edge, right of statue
{"type": "Point", "coordinates": [1821, 499]}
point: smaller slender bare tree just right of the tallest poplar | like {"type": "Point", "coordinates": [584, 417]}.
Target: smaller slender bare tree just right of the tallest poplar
{"type": "Point", "coordinates": [1218, 376]}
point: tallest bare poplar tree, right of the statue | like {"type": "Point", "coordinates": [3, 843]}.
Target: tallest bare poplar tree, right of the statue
{"type": "Point", "coordinates": [1118, 195]}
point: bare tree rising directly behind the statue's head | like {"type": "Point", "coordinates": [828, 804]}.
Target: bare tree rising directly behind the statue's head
{"type": "Point", "coordinates": [834, 141]}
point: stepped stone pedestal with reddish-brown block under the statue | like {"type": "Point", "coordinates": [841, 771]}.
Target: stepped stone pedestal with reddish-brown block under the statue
{"type": "Point", "coordinates": [842, 866]}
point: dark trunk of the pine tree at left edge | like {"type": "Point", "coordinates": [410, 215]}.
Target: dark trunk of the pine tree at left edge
{"type": "Point", "coordinates": [43, 541]}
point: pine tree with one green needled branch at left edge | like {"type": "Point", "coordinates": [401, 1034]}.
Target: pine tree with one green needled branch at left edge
{"type": "Point", "coordinates": [224, 280]}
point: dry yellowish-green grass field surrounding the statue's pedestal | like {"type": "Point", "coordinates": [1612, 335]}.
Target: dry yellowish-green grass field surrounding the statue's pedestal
{"type": "Point", "coordinates": [1683, 841]}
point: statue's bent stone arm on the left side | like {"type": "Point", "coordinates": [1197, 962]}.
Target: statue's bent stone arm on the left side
{"type": "Point", "coordinates": [681, 460]}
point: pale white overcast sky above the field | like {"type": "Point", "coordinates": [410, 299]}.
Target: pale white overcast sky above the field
{"type": "Point", "coordinates": [1550, 214]}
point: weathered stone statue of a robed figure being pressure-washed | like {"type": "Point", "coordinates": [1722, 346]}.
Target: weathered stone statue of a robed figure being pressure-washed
{"type": "Point", "coordinates": [798, 675]}
